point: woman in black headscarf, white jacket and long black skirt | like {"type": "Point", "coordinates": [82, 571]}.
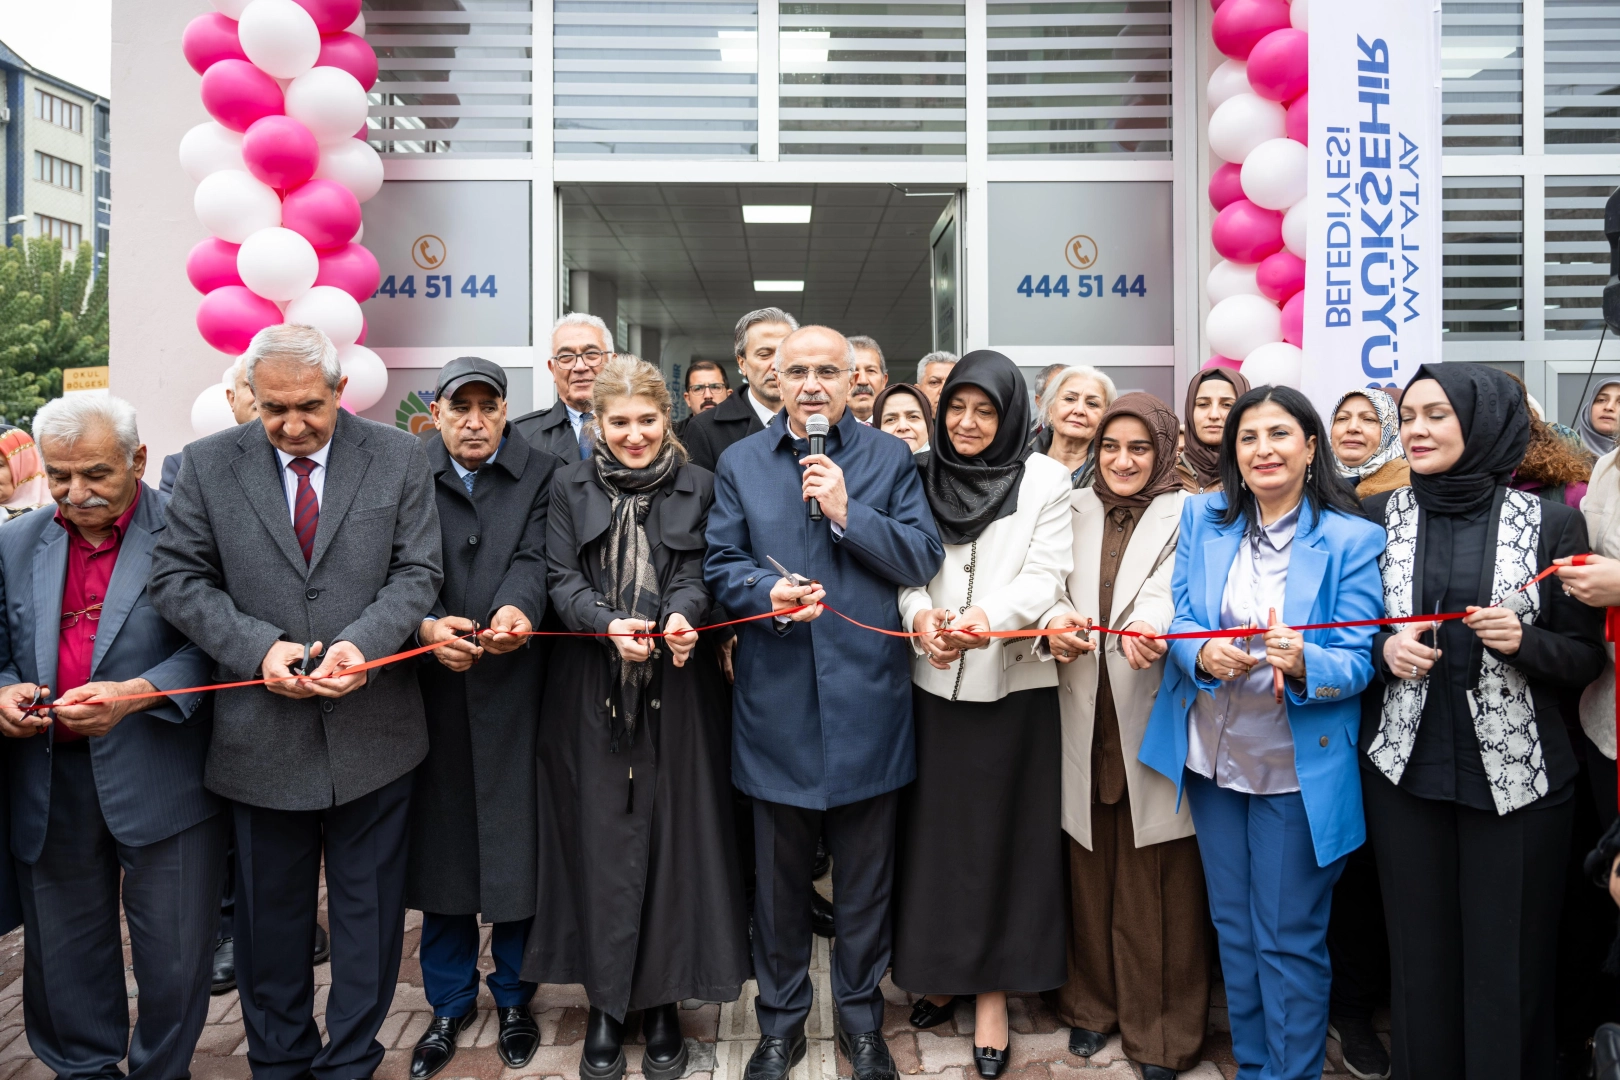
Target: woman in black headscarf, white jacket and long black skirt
{"type": "Point", "coordinates": [979, 872]}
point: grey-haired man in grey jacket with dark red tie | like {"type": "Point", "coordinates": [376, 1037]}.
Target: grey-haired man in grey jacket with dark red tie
{"type": "Point", "coordinates": [317, 530]}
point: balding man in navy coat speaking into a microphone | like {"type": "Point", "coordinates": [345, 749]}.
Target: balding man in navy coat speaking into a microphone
{"type": "Point", "coordinates": [822, 726]}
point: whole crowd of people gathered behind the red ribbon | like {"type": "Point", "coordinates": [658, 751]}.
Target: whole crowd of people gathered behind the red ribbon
{"type": "Point", "coordinates": [621, 687]}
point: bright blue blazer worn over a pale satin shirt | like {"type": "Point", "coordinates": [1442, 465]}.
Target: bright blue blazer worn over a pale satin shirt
{"type": "Point", "coordinates": [1332, 577]}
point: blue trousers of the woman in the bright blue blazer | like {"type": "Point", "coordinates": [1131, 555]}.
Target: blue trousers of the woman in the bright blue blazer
{"type": "Point", "coordinates": [1271, 906]}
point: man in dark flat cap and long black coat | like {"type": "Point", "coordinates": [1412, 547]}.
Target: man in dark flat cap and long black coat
{"type": "Point", "coordinates": [474, 827]}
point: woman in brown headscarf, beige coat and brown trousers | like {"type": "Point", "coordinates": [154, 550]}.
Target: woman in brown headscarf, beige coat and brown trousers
{"type": "Point", "coordinates": [1138, 943]}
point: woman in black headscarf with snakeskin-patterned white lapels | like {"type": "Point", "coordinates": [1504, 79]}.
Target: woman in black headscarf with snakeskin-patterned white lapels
{"type": "Point", "coordinates": [1469, 770]}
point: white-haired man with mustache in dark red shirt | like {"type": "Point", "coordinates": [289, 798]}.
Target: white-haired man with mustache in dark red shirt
{"type": "Point", "coordinates": [106, 791]}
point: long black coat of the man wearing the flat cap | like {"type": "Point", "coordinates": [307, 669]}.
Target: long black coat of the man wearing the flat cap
{"type": "Point", "coordinates": [472, 835]}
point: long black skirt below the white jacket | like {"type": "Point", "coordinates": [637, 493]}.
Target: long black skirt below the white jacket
{"type": "Point", "coordinates": [979, 883]}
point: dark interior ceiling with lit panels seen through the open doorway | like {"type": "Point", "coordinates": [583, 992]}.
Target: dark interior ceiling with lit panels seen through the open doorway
{"type": "Point", "coordinates": [686, 265]}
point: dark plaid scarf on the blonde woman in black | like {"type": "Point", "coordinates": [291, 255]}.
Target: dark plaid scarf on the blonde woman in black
{"type": "Point", "coordinates": [628, 568]}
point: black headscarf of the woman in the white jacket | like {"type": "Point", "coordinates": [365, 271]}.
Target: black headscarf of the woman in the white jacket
{"type": "Point", "coordinates": [970, 493]}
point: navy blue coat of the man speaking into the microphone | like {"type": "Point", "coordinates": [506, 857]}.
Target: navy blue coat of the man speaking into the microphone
{"type": "Point", "coordinates": [822, 710]}
